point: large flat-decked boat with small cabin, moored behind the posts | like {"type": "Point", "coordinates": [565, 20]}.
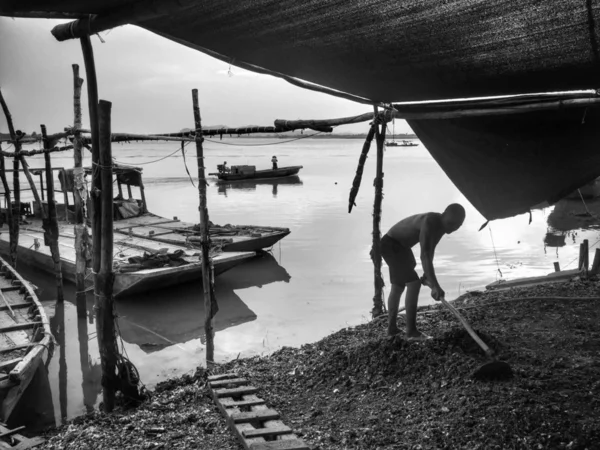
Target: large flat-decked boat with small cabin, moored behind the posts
{"type": "Point", "coordinates": [141, 262]}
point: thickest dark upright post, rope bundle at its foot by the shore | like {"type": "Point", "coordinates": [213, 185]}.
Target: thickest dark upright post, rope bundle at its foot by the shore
{"type": "Point", "coordinates": [105, 313]}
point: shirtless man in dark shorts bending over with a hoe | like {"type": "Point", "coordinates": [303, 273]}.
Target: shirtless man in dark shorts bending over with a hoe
{"type": "Point", "coordinates": [426, 229]}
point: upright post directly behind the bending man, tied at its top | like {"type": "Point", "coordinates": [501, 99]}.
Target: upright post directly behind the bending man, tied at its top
{"type": "Point", "coordinates": [378, 307]}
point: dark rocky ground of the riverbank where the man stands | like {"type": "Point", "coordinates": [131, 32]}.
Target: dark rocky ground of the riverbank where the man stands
{"type": "Point", "coordinates": [358, 389]}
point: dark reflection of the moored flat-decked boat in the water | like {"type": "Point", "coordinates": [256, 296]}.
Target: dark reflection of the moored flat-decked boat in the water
{"type": "Point", "coordinates": [155, 321]}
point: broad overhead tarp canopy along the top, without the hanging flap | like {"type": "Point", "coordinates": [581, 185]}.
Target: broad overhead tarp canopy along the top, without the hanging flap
{"type": "Point", "coordinates": [385, 50]}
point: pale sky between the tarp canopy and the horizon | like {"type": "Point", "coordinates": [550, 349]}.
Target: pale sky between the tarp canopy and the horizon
{"type": "Point", "coordinates": [149, 80]}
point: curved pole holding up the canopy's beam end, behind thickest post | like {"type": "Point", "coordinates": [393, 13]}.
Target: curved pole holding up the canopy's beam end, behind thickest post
{"type": "Point", "coordinates": [92, 89]}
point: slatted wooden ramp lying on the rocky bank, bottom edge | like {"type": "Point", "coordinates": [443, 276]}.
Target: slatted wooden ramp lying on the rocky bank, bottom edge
{"type": "Point", "coordinates": [255, 425]}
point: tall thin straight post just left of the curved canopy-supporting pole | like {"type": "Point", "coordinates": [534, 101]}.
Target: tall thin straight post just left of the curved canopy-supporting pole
{"type": "Point", "coordinates": [79, 198]}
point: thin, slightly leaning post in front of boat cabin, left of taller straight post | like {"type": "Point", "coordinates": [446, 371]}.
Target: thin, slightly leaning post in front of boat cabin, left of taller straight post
{"type": "Point", "coordinates": [50, 221]}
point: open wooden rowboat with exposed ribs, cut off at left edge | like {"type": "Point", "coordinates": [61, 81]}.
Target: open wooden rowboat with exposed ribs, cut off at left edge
{"type": "Point", "coordinates": [25, 337]}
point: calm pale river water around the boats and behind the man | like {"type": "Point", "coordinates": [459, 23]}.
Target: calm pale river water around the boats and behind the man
{"type": "Point", "coordinates": [316, 281]}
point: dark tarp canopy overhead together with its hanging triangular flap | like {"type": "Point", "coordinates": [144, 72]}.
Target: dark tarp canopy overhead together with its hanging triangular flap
{"type": "Point", "coordinates": [417, 50]}
